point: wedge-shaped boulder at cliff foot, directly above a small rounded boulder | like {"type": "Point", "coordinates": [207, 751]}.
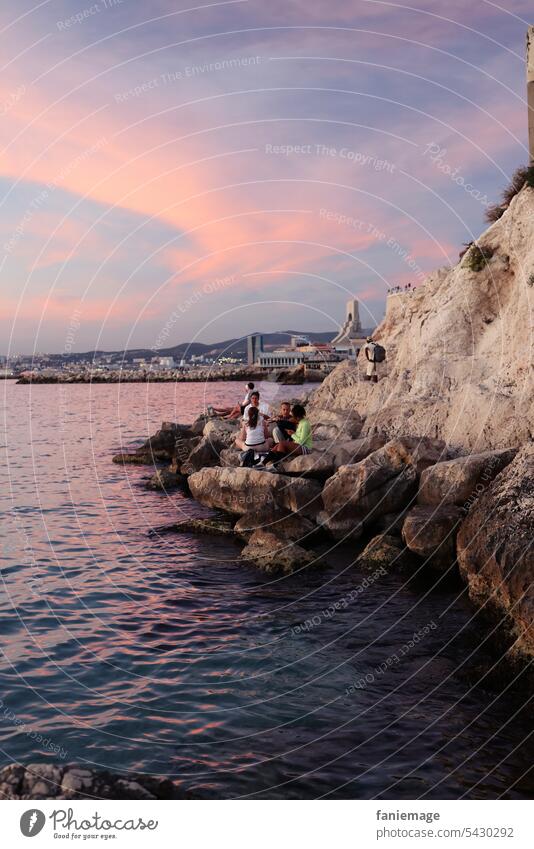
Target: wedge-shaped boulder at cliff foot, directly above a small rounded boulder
{"type": "Point", "coordinates": [461, 480]}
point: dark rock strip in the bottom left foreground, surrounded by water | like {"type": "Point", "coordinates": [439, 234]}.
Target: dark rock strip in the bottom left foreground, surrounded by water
{"type": "Point", "coordinates": [49, 781]}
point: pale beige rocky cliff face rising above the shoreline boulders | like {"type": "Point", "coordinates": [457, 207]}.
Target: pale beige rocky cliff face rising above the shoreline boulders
{"type": "Point", "coordinates": [459, 349]}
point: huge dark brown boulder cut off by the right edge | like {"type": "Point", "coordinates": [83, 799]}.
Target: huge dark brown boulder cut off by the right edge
{"type": "Point", "coordinates": [495, 549]}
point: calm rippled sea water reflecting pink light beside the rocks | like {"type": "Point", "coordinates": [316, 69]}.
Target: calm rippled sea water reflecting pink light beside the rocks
{"type": "Point", "coordinates": [129, 650]}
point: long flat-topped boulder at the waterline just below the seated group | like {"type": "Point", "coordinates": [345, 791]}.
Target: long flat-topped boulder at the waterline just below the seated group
{"type": "Point", "coordinates": [243, 491]}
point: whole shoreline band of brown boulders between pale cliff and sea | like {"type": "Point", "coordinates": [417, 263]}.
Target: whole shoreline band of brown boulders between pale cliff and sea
{"type": "Point", "coordinates": [410, 502]}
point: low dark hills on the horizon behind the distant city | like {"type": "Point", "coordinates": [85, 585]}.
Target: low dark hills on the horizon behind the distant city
{"type": "Point", "coordinates": [229, 348]}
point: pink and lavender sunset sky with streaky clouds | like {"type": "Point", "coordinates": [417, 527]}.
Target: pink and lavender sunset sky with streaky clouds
{"type": "Point", "coordinates": [185, 171]}
